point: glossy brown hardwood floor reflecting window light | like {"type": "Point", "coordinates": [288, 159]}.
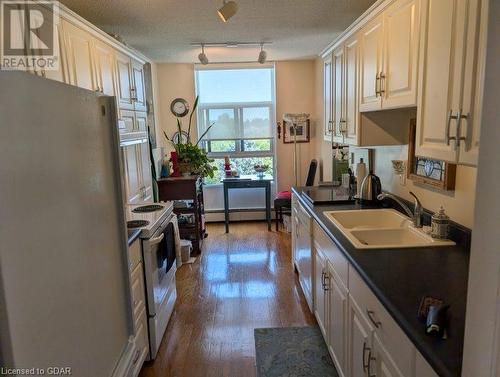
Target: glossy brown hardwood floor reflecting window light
{"type": "Point", "coordinates": [243, 280]}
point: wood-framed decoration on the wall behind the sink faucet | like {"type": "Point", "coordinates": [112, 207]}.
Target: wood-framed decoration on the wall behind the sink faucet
{"type": "Point", "coordinates": [429, 172]}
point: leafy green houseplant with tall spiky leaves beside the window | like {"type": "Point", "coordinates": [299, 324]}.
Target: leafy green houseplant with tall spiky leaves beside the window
{"type": "Point", "coordinates": [192, 159]}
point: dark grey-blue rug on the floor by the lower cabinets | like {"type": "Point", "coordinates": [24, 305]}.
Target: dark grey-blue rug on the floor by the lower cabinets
{"type": "Point", "coordinates": [292, 352]}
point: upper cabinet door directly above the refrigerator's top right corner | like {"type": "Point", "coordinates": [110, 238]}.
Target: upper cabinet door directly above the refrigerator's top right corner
{"type": "Point", "coordinates": [104, 57]}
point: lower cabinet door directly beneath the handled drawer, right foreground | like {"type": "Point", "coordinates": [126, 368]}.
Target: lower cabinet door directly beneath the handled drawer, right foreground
{"type": "Point", "coordinates": [360, 338]}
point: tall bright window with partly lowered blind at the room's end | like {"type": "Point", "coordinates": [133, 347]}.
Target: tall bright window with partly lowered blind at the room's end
{"type": "Point", "coordinates": [240, 104]}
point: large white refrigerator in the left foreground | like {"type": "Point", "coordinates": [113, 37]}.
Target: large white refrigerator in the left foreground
{"type": "Point", "coordinates": [64, 290]}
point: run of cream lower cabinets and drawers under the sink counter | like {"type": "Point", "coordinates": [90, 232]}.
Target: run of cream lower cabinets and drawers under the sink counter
{"type": "Point", "coordinates": [362, 337]}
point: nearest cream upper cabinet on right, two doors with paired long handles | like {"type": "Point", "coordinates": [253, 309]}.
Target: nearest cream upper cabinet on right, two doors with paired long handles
{"type": "Point", "coordinates": [451, 79]}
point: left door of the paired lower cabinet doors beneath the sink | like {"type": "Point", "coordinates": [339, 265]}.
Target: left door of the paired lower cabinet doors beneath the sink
{"type": "Point", "coordinates": [320, 294]}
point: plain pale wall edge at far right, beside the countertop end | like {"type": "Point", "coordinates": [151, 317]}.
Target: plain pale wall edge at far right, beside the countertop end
{"type": "Point", "coordinates": [482, 329]}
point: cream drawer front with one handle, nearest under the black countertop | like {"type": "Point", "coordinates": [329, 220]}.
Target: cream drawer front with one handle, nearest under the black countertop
{"type": "Point", "coordinates": [392, 337]}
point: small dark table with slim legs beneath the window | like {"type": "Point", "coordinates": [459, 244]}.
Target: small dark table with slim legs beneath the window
{"type": "Point", "coordinates": [248, 181]}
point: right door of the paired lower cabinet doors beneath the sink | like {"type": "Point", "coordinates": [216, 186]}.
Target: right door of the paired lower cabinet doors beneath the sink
{"type": "Point", "coordinates": [337, 322]}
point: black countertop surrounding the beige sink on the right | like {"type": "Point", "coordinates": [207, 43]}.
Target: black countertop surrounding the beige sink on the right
{"type": "Point", "coordinates": [401, 277]}
